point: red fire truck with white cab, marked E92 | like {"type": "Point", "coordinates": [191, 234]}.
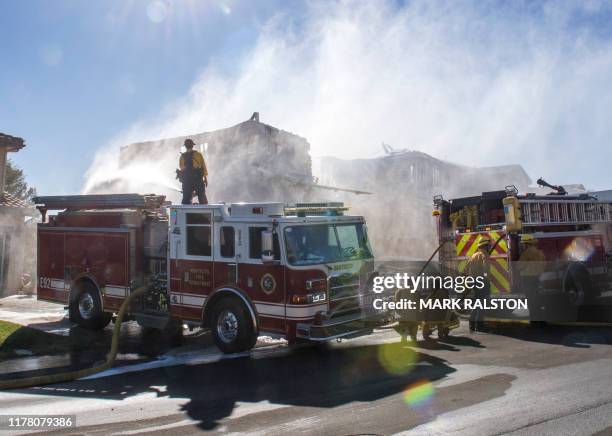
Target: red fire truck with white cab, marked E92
{"type": "Point", "coordinates": [295, 271]}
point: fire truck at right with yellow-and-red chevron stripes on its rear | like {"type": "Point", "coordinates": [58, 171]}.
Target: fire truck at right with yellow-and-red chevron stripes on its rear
{"type": "Point", "coordinates": [573, 231]}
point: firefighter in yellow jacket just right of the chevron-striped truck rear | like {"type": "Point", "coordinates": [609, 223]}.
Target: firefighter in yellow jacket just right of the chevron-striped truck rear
{"type": "Point", "coordinates": [531, 266]}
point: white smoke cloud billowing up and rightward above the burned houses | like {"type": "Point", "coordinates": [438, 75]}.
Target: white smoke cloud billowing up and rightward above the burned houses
{"type": "Point", "coordinates": [478, 83]}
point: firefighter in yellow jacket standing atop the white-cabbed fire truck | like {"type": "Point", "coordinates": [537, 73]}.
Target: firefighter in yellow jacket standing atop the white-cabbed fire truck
{"type": "Point", "coordinates": [193, 174]}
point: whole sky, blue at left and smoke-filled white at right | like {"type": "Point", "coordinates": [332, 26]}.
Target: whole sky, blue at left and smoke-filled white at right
{"type": "Point", "coordinates": [477, 83]}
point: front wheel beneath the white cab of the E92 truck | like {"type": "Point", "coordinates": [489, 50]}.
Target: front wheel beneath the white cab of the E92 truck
{"type": "Point", "coordinates": [232, 326]}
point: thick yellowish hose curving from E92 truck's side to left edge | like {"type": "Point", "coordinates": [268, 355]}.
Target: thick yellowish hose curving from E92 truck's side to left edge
{"type": "Point", "coordinates": [73, 375]}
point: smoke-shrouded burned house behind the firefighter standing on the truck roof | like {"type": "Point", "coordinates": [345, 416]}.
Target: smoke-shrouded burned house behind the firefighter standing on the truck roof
{"type": "Point", "coordinates": [250, 161]}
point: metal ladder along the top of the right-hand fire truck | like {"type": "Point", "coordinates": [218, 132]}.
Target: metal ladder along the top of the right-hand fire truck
{"type": "Point", "coordinates": [539, 211]}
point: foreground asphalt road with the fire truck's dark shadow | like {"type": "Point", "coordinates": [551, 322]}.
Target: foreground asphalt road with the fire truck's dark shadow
{"type": "Point", "coordinates": [516, 380]}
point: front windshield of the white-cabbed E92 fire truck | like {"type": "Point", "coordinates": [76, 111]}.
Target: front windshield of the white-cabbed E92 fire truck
{"type": "Point", "coordinates": [326, 243]}
